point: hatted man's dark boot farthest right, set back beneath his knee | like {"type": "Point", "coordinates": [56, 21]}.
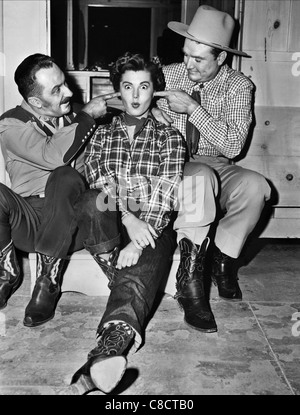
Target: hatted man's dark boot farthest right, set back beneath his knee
{"type": "Point", "coordinates": [223, 276]}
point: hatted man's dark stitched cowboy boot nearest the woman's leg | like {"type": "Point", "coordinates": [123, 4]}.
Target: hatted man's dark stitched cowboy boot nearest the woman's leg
{"type": "Point", "coordinates": [190, 287]}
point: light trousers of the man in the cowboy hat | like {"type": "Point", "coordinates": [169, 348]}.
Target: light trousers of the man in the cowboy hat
{"type": "Point", "coordinates": [212, 185]}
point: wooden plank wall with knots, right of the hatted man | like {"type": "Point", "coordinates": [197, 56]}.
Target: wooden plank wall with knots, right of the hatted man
{"type": "Point", "coordinates": [271, 35]}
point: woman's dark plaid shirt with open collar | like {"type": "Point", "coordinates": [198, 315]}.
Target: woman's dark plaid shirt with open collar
{"type": "Point", "coordinates": [142, 176]}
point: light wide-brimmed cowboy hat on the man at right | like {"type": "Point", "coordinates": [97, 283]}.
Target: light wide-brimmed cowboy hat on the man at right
{"type": "Point", "coordinates": [210, 27]}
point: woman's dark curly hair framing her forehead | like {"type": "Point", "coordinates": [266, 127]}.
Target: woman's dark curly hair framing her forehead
{"type": "Point", "coordinates": [137, 62]}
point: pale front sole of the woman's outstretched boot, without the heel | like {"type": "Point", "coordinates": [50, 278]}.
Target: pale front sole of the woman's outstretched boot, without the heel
{"type": "Point", "coordinates": [106, 373]}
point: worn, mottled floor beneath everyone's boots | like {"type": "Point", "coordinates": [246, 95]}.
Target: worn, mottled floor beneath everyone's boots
{"type": "Point", "coordinates": [255, 351]}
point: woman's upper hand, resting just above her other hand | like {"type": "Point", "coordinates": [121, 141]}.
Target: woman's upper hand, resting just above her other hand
{"type": "Point", "coordinates": [140, 233]}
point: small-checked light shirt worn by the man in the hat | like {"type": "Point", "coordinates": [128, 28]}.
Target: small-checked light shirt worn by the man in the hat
{"type": "Point", "coordinates": [224, 116]}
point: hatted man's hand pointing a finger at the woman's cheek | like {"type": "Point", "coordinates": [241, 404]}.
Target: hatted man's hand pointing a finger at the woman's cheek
{"type": "Point", "coordinates": [179, 101]}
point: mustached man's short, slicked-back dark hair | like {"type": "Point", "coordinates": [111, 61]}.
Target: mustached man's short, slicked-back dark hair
{"type": "Point", "coordinates": [26, 71]}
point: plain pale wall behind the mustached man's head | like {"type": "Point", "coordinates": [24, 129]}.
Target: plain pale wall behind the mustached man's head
{"type": "Point", "coordinates": [23, 31]}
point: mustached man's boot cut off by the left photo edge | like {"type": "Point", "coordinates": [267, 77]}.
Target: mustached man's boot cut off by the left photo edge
{"type": "Point", "coordinates": [10, 275]}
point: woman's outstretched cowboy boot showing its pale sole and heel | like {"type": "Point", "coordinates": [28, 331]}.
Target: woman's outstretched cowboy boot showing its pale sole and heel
{"type": "Point", "coordinates": [106, 363]}
